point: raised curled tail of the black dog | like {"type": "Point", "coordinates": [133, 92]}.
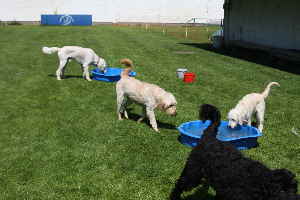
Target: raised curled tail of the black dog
{"type": "Point", "coordinates": [212, 113]}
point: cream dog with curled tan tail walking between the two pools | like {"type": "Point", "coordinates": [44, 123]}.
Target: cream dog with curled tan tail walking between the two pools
{"type": "Point", "coordinates": [148, 95]}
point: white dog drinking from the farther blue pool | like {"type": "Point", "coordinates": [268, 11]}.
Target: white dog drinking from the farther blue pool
{"type": "Point", "coordinates": [84, 56]}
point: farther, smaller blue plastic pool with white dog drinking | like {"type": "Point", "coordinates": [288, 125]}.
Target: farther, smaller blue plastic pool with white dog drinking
{"type": "Point", "coordinates": [111, 75]}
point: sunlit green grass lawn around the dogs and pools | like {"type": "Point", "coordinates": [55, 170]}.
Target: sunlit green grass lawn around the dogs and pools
{"type": "Point", "coordinates": [62, 139]}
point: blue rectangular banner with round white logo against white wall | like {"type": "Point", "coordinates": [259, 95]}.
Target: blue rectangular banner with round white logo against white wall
{"type": "Point", "coordinates": [67, 20]}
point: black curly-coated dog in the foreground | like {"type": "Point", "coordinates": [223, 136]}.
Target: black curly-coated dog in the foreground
{"type": "Point", "coordinates": [234, 177]}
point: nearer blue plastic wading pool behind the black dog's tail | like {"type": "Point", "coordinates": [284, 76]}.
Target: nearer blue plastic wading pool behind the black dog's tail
{"type": "Point", "coordinates": [242, 137]}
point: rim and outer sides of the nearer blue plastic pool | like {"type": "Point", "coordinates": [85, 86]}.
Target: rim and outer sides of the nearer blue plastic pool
{"type": "Point", "coordinates": [241, 143]}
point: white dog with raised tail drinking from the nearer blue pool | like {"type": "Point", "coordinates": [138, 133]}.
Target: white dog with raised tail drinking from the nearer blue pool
{"type": "Point", "coordinates": [247, 106]}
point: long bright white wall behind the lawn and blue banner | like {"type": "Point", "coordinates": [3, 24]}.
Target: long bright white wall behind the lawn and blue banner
{"type": "Point", "coordinates": [163, 11]}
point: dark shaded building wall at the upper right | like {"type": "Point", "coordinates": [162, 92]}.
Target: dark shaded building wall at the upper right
{"type": "Point", "coordinates": [263, 24]}
